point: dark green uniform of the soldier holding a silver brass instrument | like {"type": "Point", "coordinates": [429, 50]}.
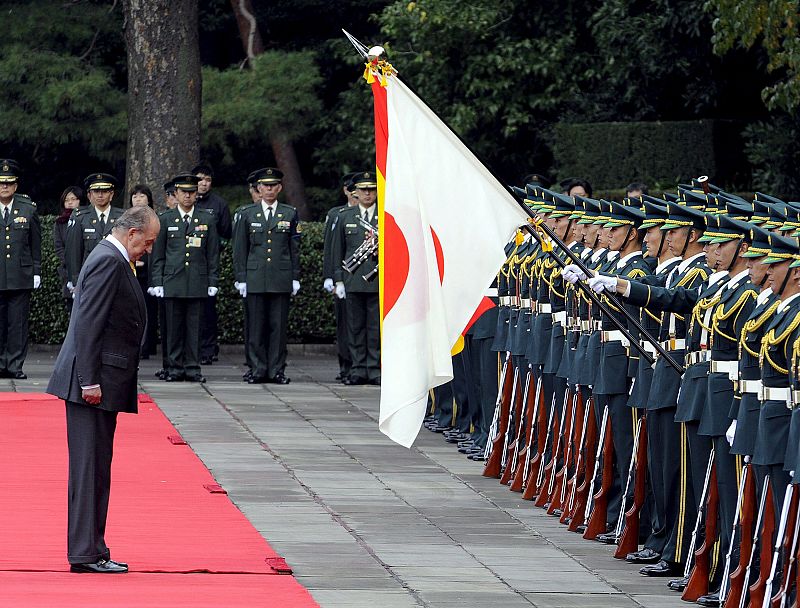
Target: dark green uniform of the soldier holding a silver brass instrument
{"type": "Point", "coordinates": [363, 314]}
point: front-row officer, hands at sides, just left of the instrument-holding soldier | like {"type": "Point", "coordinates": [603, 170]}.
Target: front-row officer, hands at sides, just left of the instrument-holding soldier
{"type": "Point", "coordinates": [266, 261]}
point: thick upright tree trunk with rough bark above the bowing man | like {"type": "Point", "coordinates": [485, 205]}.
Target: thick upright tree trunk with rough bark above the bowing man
{"type": "Point", "coordinates": [164, 90]}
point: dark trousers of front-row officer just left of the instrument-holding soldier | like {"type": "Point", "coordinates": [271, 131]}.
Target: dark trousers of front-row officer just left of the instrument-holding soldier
{"type": "Point", "coordinates": [267, 321]}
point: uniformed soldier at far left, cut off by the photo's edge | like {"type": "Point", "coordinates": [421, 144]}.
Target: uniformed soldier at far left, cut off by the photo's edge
{"type": "Point", "coordinates": [20, 269]}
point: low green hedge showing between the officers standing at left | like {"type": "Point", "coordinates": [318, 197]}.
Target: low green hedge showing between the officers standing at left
{"type": "Point", "coordinates": [311, 314]}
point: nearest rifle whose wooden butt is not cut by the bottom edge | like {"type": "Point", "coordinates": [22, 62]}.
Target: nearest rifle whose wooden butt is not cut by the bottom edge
{"type": "Point", "coordinates": [698, 580]}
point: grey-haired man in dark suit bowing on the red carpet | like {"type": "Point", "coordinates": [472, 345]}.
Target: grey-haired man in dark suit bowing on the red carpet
{"type": "Point", "coordinates": [95, 374]}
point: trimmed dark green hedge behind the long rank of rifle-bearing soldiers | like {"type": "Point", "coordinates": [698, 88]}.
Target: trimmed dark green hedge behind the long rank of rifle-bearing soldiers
{"type": "Point", "coordinates": [613, 154]}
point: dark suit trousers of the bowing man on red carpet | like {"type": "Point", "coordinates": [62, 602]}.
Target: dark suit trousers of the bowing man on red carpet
{"type": "Point", "coordinates": [90, 442]}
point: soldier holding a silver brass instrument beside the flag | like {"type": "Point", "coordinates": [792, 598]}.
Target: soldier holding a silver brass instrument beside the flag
{"type": "Point", "coordinates": [357, 228]}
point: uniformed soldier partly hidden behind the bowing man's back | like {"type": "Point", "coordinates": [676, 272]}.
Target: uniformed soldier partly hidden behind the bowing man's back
{"type": "Point", "coordinates": [91, 224]}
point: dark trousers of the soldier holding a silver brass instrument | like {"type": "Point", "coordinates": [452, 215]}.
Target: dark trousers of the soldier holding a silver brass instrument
{"type": "Point", "coordinates": [363, 325]}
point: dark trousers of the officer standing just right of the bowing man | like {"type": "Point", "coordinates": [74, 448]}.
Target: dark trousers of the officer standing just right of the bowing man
{"type": "Point", "coordinates": [183, 335]}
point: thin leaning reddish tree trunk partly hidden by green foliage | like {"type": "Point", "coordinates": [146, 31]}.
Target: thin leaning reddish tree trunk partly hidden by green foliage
{"type": "Point", "coordinates": [282, 146]}
